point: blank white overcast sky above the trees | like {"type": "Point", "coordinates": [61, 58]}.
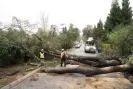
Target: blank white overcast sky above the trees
{"type": "Point", "coordinates": [78, 12]}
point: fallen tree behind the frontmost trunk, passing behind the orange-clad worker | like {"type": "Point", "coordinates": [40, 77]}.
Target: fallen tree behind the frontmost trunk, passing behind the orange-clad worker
{"type": "Point", "coordinates": [92, 61]}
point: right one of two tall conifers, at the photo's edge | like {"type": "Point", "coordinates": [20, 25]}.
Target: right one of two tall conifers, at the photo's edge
{"type": "Point", "coordinates": [126, 12]}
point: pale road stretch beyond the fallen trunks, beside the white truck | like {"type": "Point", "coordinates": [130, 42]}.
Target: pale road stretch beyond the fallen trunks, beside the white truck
{"type": "Point", "coordinates": [80, 52]}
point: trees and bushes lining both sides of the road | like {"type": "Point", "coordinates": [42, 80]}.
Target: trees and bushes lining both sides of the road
{"type": "Point", "coordinates": [114, 36]}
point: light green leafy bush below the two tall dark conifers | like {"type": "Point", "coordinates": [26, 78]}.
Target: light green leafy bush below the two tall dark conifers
{"type": "Point", "coordinates": [121, 38]}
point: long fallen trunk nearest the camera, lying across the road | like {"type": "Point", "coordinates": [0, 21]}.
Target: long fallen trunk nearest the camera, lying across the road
{"type": "Point", "coordinates": [90, 72]}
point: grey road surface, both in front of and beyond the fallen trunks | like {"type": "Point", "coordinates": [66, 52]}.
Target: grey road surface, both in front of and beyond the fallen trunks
{"type": "Point", "coordinates": [75, 81]}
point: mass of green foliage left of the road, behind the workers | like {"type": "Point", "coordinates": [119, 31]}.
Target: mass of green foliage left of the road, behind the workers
{"type": "Point", "coordinates": [16, 43]}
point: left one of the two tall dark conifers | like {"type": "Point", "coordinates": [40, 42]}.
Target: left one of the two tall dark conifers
{"type": "Point", "coordinates": [114, 18]}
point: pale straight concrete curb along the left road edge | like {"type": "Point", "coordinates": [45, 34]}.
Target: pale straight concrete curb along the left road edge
{"type": "Point", "coordinates": [9, 86]}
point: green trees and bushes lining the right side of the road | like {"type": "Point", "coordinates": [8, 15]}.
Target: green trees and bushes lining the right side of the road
{"type": "Point", "coordinates": [115, 35]}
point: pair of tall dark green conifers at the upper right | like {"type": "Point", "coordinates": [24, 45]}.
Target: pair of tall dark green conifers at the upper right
{"type": "Point", "coordinates": [118, 15]}
